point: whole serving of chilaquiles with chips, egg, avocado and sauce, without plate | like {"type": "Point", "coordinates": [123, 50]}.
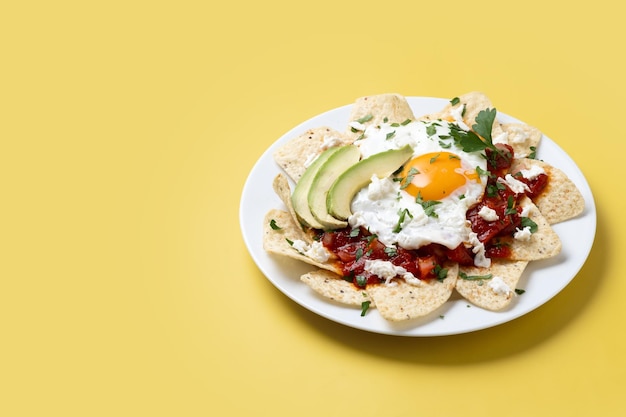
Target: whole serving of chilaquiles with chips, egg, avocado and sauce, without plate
{"type": "Point", "coordinates": [397, 212]}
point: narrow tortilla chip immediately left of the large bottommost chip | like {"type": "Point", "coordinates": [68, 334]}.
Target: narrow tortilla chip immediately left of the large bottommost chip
{"type": "Point", "coordinates": [334, 287]}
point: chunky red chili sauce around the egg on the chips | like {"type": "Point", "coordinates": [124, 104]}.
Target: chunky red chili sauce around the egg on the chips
{"type": "Point", "coordinates": [354, 247]}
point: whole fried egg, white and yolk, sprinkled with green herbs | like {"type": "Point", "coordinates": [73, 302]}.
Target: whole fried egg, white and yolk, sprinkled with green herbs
{"type": "Point", "coordinates": [427, 200]}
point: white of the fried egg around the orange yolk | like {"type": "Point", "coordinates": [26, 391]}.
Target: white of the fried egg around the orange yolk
{"type": "Point", "coordinates": [379, 205]}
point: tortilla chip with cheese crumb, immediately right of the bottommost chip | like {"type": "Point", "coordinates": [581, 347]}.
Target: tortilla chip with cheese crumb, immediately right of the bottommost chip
{"type": "Point", "coordinates": [484, 295]}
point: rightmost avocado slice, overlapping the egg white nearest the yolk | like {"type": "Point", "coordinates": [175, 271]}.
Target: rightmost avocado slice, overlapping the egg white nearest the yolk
{"type": "Point", "coordinates": [343, 190]}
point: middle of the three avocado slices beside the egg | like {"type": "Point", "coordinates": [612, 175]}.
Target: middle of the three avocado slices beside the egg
{"type": "Point", "coordinates": [337, 163]}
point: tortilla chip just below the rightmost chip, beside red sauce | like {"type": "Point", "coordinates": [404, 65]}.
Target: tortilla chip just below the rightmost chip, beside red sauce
{"type": "Point", "coordinates": [544, 243]}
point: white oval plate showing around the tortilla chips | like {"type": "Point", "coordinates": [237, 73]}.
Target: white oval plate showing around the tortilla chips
{"type": "Point", "coordinates": [542, 280]}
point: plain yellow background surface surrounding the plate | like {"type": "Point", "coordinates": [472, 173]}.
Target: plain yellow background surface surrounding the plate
{"type": "Point", "coordinates": [127, 132]}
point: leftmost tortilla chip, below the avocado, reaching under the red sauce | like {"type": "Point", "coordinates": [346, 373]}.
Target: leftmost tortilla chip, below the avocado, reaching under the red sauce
{"type": "Point", "coordinates": [277, 240]}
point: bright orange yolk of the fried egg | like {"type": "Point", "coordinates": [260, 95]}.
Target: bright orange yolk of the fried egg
{"type": "Point", "coordinates": [434, 176]}
